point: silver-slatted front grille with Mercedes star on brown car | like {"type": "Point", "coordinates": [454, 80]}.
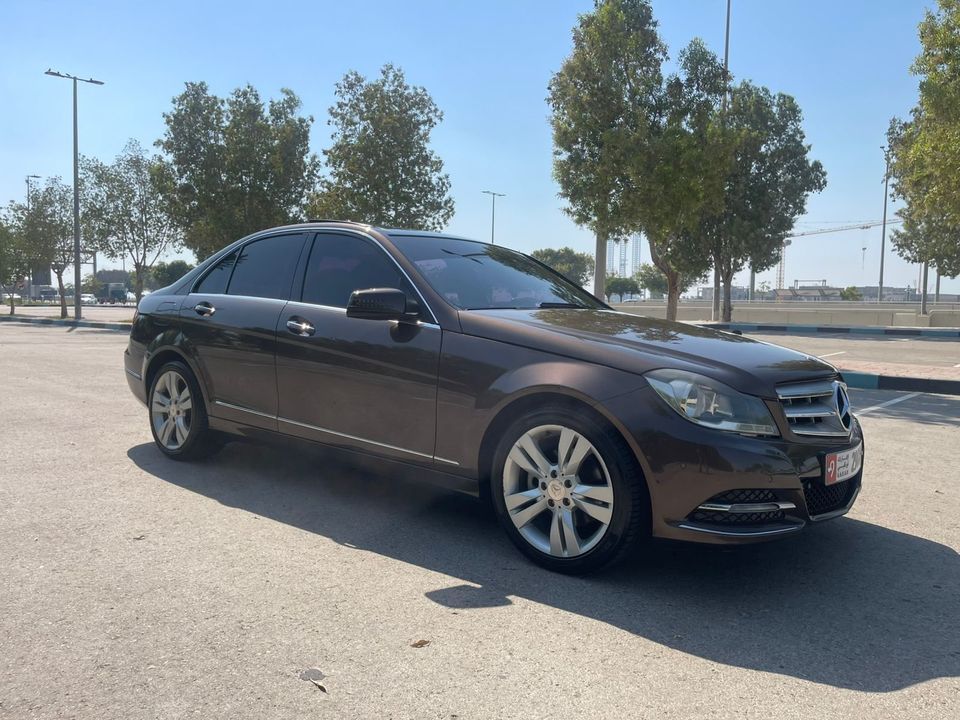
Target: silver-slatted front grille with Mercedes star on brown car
{"type": "Point", "coordinates": [819, 408]}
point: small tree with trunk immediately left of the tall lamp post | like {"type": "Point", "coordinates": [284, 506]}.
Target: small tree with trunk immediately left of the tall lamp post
{"type": "Point", "coordinates": [46, 230]}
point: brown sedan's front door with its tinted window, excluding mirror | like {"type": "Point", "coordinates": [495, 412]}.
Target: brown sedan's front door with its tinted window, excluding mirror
{"type": "Point", "coordinates": [364, 384]}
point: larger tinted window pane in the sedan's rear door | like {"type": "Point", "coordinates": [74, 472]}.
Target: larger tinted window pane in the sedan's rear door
{"type": "Point", "coordinates": [265, 268]}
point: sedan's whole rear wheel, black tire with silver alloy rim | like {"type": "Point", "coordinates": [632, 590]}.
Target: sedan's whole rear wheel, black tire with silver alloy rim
{"type": "Point", "coordinates": [181, 432]}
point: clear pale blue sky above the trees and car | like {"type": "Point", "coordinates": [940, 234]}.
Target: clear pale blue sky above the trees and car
{"type": "Point", "coordinates": [486, 66]}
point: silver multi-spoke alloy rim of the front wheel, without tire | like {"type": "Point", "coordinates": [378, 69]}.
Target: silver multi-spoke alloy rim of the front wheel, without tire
{"type": "Point", "coordinates": [557, 491]}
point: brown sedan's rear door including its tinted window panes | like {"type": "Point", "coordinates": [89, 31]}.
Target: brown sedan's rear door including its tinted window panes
{"type": "Point", "coordinates": [230, 322]}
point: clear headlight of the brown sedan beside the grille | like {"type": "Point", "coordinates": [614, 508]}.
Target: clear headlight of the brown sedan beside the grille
{"type": "Point", "coordinates": [712, 404]}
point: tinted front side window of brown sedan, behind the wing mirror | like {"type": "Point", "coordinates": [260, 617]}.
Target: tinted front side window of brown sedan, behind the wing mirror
{"type": "Point", "coordinates": [340, 264]}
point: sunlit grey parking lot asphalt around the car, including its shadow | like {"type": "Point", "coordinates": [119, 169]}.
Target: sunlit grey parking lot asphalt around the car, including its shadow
{"type": "Point", "coordinates": [137, 587]}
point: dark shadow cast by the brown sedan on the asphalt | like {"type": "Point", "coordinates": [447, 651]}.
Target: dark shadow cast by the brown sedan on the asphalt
{"type": "Point", "coordinates": [848, 604]}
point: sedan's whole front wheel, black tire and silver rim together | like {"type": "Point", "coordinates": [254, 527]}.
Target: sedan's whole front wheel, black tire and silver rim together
{"type": "Point", "coordinates": [576, 516]}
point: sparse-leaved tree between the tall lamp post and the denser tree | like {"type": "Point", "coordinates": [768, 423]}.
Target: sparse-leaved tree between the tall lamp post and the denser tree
{"type": "Point", "coordinates": [127, 211]}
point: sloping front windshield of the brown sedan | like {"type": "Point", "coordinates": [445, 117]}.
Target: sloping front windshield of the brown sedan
{"type": "Point", "coordinates": [476, 276]}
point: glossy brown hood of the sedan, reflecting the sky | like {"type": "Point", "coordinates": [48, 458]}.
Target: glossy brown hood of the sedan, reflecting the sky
{"type": "Point", "coordinates": [637, 344]}
